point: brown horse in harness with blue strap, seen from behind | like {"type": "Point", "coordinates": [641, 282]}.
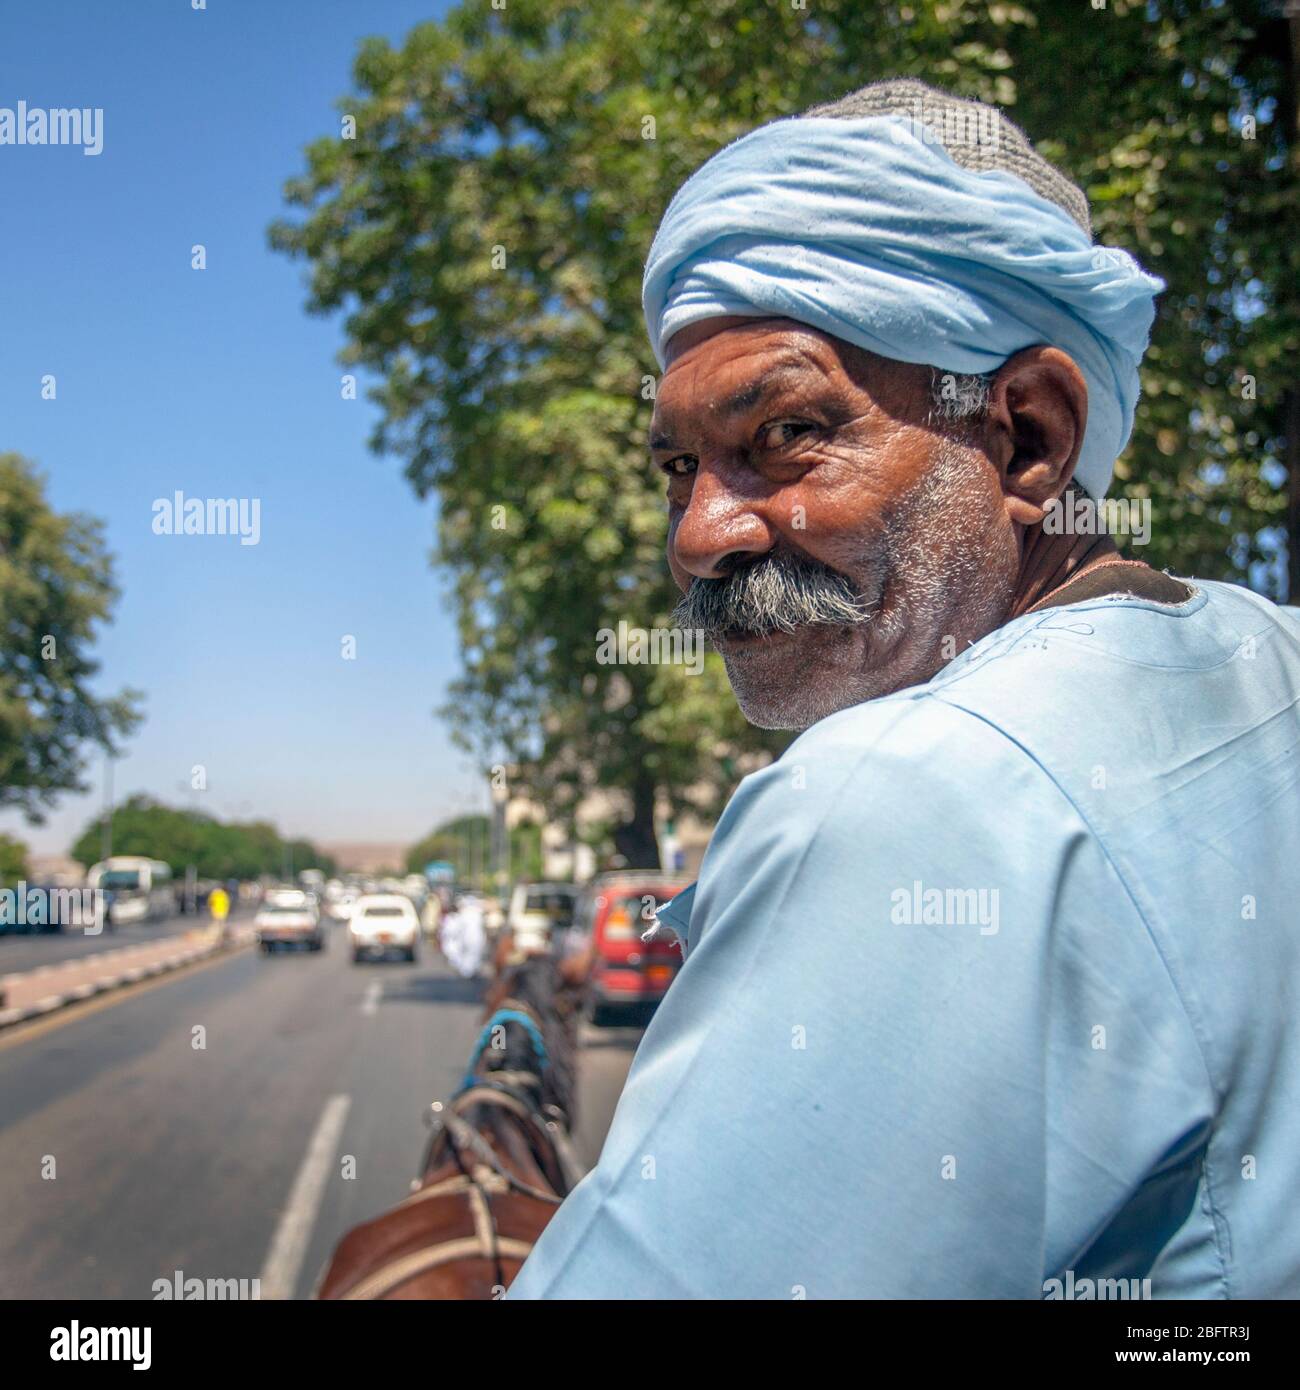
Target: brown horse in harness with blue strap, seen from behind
{"type": "Point", "coordinates": [498, 1163]}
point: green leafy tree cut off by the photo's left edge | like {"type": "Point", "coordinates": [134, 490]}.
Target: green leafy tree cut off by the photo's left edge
{"type": "Point", "coordinates": [56, 584]}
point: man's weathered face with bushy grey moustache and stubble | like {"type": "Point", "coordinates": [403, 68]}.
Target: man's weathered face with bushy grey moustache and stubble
{"type": "Point", "coordinates": [824, 533]}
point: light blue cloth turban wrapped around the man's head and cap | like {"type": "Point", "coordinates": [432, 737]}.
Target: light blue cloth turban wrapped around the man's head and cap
{"type": "Point", "coordinates": [868, 230]}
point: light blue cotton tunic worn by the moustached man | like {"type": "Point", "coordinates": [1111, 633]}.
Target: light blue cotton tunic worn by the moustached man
{"type": "Point", "coordinates": [989, 983]}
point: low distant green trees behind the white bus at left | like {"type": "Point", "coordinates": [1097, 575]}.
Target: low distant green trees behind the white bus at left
{"type": "Point", "coordinates": [218, 850]}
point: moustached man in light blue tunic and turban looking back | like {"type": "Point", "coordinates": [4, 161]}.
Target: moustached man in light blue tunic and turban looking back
{"type": "Point", "coordinates": [992, 979]}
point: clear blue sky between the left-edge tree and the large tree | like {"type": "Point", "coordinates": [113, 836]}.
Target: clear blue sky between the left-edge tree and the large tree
{"type": "Point", "coordinates": [218, 383]}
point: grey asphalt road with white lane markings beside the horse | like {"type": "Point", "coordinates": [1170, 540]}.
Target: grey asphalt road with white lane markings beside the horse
{"type": "Point", "coordinates": [234, 1121]}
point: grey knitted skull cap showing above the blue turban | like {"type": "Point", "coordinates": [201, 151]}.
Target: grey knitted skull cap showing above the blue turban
{"type": "Point", "coordinates": [975, 136]}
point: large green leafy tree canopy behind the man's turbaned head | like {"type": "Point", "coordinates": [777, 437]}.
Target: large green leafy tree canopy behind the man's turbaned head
{"type": "Point", "coordinates": [485, 230]}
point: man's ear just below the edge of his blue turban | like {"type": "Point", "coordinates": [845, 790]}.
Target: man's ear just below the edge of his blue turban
{"type": "Point", "coordinates": [1038, 411]}
